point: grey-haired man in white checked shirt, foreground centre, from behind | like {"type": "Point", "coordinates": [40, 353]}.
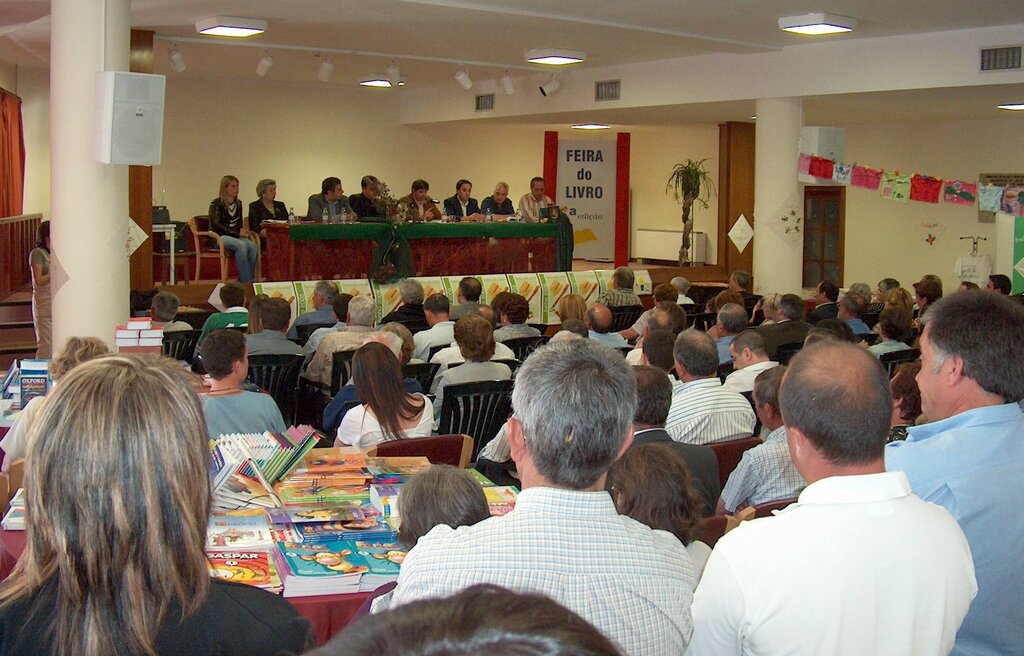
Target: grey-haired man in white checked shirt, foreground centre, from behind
{"type": "Point", "coordinates": [575, 405]}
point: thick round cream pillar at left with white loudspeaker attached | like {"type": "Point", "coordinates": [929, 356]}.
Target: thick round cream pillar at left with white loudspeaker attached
{"type": "Point", "coordinates": [90, 200]}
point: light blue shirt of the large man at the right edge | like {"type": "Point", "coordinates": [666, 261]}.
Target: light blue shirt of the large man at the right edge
{"type": "Point", "coordinates": [973, 465]}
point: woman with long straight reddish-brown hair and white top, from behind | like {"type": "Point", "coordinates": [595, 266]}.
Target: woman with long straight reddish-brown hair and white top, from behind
{"type": "Point", "coordinates": [388, 413]}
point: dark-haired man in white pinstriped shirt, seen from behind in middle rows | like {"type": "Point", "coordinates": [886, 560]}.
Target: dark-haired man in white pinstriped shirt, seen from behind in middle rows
{"type": "Point", "coordinates": [703, 412]}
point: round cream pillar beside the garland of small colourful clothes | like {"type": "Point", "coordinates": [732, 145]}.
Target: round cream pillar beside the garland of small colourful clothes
{"type": "Point", "coordinates": [778, 260]}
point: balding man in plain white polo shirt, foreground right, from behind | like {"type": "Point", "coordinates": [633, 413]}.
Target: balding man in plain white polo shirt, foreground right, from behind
{"type": "Point", "coordinates": [859, 565]}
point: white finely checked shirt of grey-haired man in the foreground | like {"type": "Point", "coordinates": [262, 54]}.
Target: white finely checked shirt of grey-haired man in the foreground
{"type": "Point", "coordinates": [631, 582]}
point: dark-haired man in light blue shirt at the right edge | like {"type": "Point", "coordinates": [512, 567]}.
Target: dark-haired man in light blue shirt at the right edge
{"type": "Point", "coordinates": [971, 458]}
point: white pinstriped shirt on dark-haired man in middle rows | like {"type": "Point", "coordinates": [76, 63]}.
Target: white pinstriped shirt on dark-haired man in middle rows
{"type": "Point", "coordinates": [704, 413]}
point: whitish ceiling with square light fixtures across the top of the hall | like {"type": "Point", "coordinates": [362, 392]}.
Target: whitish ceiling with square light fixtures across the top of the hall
{"type": "Point", "coordinates": [496, 33]}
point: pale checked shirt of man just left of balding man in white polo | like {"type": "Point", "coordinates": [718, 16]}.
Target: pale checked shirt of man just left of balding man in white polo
{"type": "Point", "coordinates": [765, 474]}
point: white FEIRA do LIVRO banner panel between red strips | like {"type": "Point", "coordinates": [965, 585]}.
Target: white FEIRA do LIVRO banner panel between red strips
{"type": "Point", "coordinates": [587, 188]}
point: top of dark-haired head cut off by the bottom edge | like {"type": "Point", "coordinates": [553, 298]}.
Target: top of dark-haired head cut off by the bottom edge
{"type": "Point", "coordinates": [481, 620]}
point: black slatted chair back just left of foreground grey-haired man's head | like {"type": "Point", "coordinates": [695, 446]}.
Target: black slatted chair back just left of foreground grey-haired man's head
{"type": "Point", "coordinates": [478, 410]}
